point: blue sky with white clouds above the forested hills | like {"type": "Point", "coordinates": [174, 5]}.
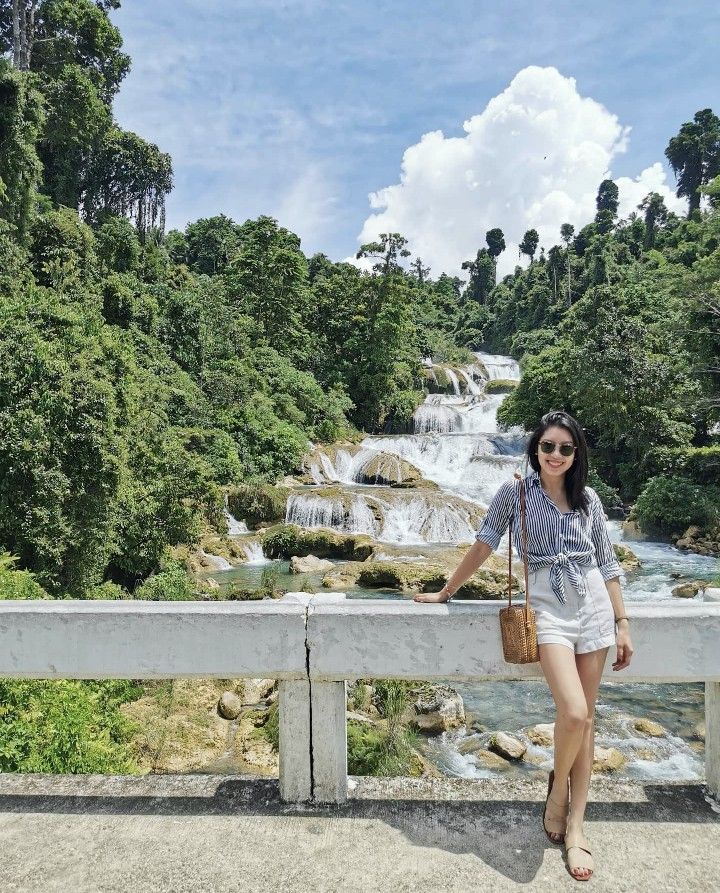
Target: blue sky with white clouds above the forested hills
{"type": "Point", "coordinates": [438, 120]}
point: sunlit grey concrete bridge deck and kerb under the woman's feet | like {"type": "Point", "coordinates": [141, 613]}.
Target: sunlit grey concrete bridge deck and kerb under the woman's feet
{"type": "Point", "coordinates": [211, 834]}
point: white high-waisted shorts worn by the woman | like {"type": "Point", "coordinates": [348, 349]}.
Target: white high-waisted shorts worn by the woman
{"type": "Point", "coordinates": [583, 623]}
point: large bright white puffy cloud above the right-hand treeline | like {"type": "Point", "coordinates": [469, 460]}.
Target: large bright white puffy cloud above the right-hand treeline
{"type": "Point", "coordinates": [533, 158]}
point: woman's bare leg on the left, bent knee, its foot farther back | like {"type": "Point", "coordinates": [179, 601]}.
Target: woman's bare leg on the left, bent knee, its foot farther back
{"type": "Point", "coordinates": [561, 672]}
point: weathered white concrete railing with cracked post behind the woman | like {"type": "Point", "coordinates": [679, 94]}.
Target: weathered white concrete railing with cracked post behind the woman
{"type": "Point", "coordinates": [313, 644]}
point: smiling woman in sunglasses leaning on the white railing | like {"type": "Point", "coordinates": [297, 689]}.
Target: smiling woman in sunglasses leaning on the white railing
{"type": "Point", "coordinates": [575, 592]}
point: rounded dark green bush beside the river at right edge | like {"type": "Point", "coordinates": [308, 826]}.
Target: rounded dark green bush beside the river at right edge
{"type": "Point", "coordinates": [669, 504]}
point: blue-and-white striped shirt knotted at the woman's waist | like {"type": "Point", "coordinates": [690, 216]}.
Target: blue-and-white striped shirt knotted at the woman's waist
{"type": "Point", "coordinates": [555, 539]}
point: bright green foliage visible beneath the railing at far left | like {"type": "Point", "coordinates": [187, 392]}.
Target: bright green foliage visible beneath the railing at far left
{"type": "Point", "coordinates": [65, 726]}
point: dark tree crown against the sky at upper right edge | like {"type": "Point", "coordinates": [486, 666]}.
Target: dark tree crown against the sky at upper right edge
{"type": "Point", "coordinates": [694, 155]}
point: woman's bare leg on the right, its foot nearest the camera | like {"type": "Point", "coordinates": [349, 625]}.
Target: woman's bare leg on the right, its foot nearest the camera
{"type": "Point", "coordinates": [589, 667]}
